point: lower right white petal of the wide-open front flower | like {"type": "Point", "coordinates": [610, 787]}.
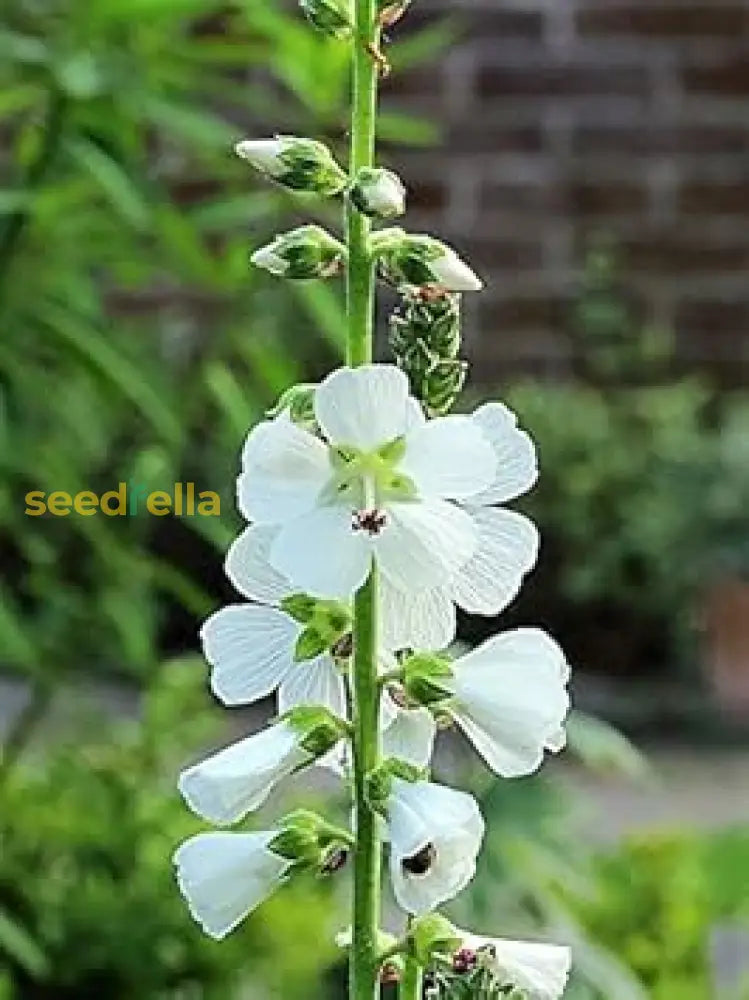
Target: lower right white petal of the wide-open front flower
{"type": "Point", "coordinates": [424, 543]}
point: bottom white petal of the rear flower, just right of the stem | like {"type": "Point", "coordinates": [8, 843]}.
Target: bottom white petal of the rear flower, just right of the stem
{"type": "Point", "coordinates": [424, 620]}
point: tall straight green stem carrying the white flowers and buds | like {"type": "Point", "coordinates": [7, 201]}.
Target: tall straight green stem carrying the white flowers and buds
{"type": "Point", "coordinates": [360, 310]}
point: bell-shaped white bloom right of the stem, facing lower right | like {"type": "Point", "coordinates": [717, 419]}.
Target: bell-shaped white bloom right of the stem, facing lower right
{"type": "Point", "coordinates": [511, 700]}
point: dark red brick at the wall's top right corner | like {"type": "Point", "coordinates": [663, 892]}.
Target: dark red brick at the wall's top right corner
{"type": "Point", "coordinates": [665, 21]}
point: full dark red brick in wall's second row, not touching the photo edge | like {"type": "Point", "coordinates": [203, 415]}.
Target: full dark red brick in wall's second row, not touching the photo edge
{"type": "Point", "coordinates": [562, 81]}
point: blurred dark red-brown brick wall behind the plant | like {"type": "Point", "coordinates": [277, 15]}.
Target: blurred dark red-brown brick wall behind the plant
{"type": "Point", "coordinates": [565, 119]}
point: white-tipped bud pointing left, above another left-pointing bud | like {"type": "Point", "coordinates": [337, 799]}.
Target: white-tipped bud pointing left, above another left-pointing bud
{"type": "Point", "coordinates": [298, 164]}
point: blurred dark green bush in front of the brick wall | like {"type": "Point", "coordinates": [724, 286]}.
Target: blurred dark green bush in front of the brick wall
{"type": "Point", "coordinates": [644, 486]}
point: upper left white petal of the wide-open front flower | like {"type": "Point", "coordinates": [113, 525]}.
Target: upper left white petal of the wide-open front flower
{"type": "Point", "coordinates": [284, 470]}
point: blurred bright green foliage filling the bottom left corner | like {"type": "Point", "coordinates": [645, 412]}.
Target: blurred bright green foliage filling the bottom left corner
{"type": "Point", "coordinates": [88, 903]}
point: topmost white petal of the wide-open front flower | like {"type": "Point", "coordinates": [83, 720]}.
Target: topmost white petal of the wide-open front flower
{"type": "Point", "coordinates": [364, 407]}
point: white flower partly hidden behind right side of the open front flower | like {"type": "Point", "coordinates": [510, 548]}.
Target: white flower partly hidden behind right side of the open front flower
{"type": "Point", "coordinates": [507, 546]}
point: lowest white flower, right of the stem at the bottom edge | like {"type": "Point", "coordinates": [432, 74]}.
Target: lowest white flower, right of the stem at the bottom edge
{"type": "Point", "coordinates": [539, 971]}
